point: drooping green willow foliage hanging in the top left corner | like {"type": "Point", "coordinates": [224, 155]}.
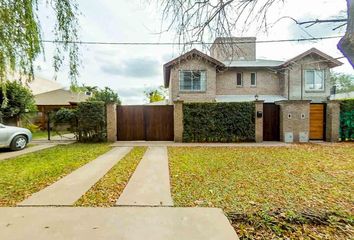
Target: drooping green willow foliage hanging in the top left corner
{"type": "Point", "coordinates": [21, 39]}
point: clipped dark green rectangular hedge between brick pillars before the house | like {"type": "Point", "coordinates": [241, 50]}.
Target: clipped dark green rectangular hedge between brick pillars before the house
{"type": "Point", "coordinates": [219, 122]}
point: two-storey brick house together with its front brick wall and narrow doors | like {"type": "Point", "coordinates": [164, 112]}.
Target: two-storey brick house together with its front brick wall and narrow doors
{"type": "Point", "coordinates": [292, 96]}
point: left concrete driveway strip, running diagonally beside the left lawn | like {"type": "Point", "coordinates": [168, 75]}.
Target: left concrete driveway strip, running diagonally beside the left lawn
{"type": "Point", "coordinates": [69, 189]}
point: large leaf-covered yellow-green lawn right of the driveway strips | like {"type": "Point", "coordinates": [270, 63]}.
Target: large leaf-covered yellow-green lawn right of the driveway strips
{"type": "Point", "coordinates": [302, 191]}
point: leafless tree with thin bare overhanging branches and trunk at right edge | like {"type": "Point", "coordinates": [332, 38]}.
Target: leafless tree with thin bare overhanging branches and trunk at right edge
{"type": "Point", "coordinates": [195, 20]}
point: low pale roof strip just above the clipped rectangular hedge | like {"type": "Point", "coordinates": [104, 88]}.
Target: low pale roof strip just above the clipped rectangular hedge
{"type": "Point", "coordinates": [249, 98]}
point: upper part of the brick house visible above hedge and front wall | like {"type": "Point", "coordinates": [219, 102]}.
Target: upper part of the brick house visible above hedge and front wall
{"type": "Point", "coordinates": [234, 74]}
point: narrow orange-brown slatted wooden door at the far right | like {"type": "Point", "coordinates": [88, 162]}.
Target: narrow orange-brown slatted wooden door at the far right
{"type": "Point", "coordinates": [317, 121]}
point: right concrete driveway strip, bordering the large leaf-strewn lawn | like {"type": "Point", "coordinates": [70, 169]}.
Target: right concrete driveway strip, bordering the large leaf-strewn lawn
{"type": "Point", "coordinates": [150, 183]}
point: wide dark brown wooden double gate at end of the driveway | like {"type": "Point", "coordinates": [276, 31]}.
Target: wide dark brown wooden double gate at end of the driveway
{"type": "Point", "coordinates": [149, 123]}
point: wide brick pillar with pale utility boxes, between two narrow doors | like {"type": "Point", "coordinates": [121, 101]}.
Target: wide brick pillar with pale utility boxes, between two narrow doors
{"type": "Point", "coordinates": [294, 120]}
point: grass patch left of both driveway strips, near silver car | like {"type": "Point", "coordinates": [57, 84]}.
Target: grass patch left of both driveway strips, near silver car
{"type": "Point", "coordinates": [24, 175]}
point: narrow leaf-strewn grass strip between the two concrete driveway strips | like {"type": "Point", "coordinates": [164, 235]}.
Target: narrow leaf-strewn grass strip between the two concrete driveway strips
{"type": "Point", "coordinates": [106, 191]}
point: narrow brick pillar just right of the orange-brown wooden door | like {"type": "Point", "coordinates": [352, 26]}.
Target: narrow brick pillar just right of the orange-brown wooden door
{"type": "Point", "coordinates": [332, 121]}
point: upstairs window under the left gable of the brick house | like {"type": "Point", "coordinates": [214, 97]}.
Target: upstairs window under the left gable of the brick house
{"type": "Point", "coordinates": [192, 80]}
